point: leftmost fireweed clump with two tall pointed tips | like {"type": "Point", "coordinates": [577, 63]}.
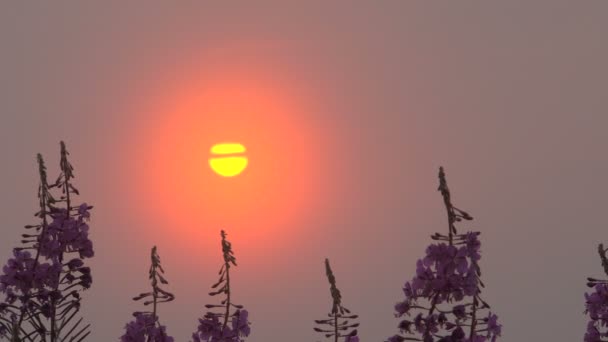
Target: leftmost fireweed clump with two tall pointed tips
{"type": "Point", "coordinates": [43, 280]}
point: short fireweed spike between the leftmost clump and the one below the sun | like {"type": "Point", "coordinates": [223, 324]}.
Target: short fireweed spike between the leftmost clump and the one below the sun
{"type": "Point", "coordinates": [146, 327]}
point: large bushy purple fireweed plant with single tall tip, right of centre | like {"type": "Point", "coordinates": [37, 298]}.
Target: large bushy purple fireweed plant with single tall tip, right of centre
{"type": "Point", "coordinates": [442, 302]}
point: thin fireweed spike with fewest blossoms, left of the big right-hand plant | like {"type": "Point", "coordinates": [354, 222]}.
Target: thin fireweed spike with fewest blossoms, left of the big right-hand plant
{"type": "Point", "coordinates": [338, 322]}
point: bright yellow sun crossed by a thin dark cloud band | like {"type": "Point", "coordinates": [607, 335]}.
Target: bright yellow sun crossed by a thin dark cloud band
{"type": "Point", "coordinates": [228, 159]}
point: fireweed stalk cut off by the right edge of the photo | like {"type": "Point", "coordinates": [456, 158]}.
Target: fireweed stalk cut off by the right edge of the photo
{"type": "Point", "coordinates": [596, 304]}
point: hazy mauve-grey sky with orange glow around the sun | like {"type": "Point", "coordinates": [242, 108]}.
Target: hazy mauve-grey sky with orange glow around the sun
{"type": "Point", "coordinates": [356, 104]}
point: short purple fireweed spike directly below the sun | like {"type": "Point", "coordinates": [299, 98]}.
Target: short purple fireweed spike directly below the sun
{"type": "Point", "coordinates": [213, 327]}
